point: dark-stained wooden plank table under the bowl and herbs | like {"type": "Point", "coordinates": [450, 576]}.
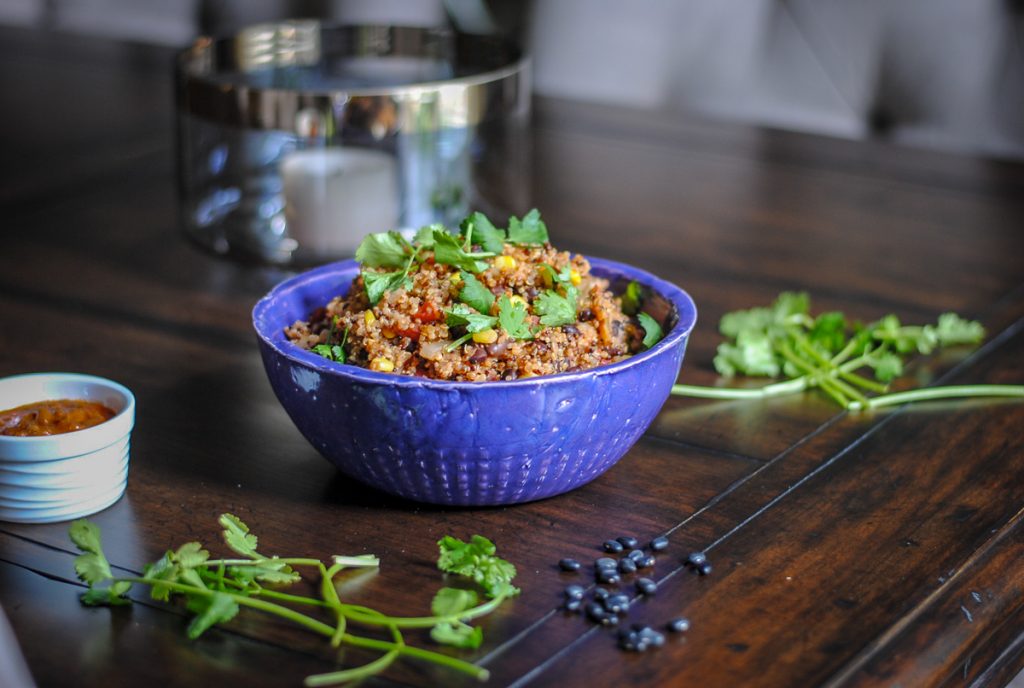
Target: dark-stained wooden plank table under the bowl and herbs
{"type": "Point", "coordinates": [880, 549]}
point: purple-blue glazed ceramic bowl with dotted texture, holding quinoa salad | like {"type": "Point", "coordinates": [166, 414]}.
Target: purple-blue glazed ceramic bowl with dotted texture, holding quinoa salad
{"type": "Point", "coordinates": [470, 443]}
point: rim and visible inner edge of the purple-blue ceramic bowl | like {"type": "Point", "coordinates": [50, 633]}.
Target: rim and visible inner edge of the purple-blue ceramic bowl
{"type": "Point", "coordinates": [272, 333]}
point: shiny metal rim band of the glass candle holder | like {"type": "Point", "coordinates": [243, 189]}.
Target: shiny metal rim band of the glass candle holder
{"type": "Point", "coordinates": [492, 79]}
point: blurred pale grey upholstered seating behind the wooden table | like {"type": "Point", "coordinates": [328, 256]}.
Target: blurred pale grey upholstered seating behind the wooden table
{"type": "Point", "coordinates": [940, 74]}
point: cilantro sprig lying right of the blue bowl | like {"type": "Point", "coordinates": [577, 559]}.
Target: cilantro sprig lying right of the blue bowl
{"type": "Point", "coordinates": [834, 355]}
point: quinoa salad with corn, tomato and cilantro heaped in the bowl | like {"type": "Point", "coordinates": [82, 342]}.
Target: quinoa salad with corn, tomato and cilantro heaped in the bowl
{"type": "Point", "coordinates": [481, 305]}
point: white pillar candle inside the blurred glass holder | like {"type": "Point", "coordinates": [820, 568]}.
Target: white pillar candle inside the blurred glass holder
{"type": "Point", "coordinates": [335, 197]}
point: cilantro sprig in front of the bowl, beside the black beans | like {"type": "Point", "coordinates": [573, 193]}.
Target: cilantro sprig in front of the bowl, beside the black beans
{"type": "Point", "coordinates": [217, 590]}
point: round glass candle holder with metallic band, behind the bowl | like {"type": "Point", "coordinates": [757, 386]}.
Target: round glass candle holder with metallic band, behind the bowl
{"type": "Point", "coordinates": [296, 140]}
